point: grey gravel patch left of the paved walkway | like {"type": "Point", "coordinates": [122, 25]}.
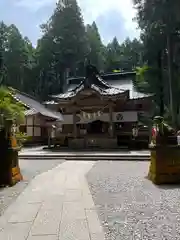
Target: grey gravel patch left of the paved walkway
{"type": "Point", "coordinates": [29, 169]}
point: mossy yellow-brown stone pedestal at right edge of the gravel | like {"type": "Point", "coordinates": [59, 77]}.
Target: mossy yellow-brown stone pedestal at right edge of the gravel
{"type": "Point", "coordinates": [165, 164]}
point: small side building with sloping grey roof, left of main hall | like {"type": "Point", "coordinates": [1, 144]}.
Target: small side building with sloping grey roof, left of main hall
{"type": "Point", "coordinates": [38, 119]}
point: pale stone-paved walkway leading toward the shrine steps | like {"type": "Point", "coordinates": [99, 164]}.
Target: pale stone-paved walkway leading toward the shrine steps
{"type": "Point", "coordinates": [57, 205]}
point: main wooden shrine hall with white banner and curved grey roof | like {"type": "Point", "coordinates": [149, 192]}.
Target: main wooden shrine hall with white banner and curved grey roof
{"type": "Point", "coordinates": [100, 111]}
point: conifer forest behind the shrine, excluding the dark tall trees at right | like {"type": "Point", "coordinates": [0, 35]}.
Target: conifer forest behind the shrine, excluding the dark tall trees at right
{"type": "Point", "coordinates": [65, 44]}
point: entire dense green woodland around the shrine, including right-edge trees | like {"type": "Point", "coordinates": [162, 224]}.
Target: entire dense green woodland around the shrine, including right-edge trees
{"type": "Point", "coordinates": [66, 42]}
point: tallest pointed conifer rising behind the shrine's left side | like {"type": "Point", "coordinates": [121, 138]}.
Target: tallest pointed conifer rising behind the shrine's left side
{"type": "Point", "coordinates": [62, 49]}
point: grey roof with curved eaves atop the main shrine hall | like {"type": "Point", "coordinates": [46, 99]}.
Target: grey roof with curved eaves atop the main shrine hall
{"type": "Point", "coordinates": [112, 84]}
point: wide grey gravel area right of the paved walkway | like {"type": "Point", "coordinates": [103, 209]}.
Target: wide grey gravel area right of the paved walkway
{"type": "Point", "coordinates": [130, 206]}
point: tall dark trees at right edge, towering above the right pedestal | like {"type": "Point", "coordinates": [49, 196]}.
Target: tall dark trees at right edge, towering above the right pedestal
{"type": "Point", "coordinates": [159, 22]}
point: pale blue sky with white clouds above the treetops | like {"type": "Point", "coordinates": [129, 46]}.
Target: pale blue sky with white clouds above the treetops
{"type": "Point", "coordinates": [113, 17]}
